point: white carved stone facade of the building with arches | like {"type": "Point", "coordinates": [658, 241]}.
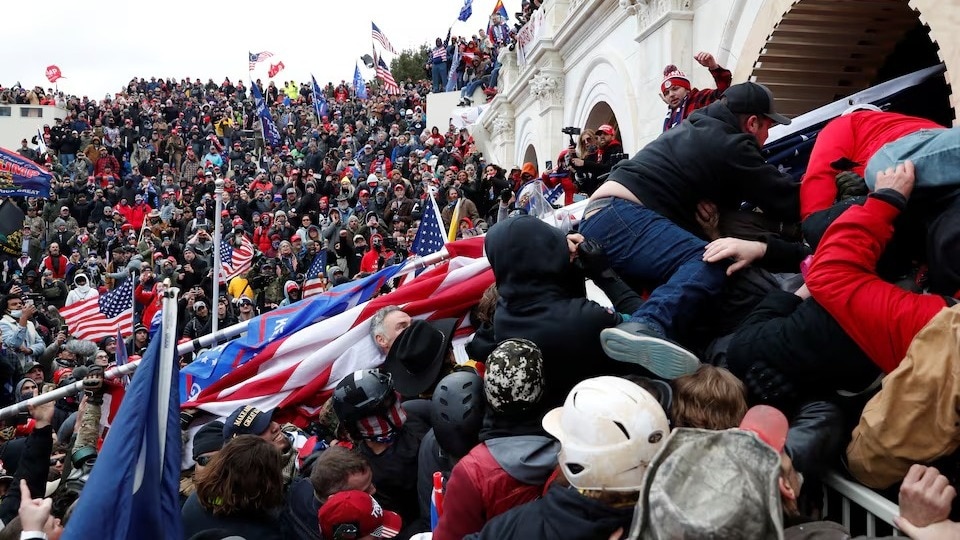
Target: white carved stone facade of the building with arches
{"type": "Point", "coordinates": [614, 51]}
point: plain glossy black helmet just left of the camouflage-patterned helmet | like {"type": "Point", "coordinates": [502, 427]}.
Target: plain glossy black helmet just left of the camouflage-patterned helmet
{"type": "Point", "coordinates": [457, 412]}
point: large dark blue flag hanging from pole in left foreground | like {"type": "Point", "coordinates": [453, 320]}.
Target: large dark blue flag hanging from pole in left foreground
{"type": "Point", "coordinates": [133, 491]}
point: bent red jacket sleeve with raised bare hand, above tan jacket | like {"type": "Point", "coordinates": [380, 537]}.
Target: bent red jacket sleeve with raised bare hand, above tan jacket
{"type": "Point", "coordinates": [880, 317]}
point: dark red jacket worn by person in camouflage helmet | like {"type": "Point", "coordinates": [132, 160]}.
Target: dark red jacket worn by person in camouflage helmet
{"type": "Point", "coordinates": [479, 490]}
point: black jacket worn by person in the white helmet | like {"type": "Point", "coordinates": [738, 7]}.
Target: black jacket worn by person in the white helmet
{"type": "Point", "coordinates": [561, 513]}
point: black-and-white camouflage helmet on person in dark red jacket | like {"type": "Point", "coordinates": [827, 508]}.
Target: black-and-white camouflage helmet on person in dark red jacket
{"type": "Point", "coordinates": [513, 379]}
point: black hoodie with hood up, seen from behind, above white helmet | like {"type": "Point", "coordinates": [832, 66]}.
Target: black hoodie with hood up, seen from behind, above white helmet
{"type": "Point", "coordinates": [543, 299]}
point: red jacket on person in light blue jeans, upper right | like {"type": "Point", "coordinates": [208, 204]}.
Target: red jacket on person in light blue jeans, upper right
{"type": "Point", "coordinates": [856, 137]}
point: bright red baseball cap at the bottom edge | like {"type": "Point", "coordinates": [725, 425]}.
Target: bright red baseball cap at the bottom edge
{"type": "Point", "coordinates": [360, 513]}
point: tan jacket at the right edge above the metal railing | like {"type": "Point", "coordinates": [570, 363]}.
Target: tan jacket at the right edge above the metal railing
{"type": "Point", "coordinates": [915, 418]}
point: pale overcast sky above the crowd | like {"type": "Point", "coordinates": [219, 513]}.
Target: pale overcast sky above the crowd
{"type": "Point", "coordinates": [100, 46]}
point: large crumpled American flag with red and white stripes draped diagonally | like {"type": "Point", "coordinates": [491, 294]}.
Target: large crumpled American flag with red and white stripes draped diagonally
{"type": "Point", "coordinates": [297, 371]}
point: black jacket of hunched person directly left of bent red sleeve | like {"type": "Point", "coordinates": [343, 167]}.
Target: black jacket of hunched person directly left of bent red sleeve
{"type": "Point", "coordinates": [790, 349]}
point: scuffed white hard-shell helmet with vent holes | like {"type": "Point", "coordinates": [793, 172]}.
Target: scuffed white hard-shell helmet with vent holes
{"type": "Point", "coordinates": [609, 430]}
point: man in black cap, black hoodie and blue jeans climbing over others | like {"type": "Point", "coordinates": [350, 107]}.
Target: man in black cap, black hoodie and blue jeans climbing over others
{"type": "Point", "coordinates": [644, 217]}
